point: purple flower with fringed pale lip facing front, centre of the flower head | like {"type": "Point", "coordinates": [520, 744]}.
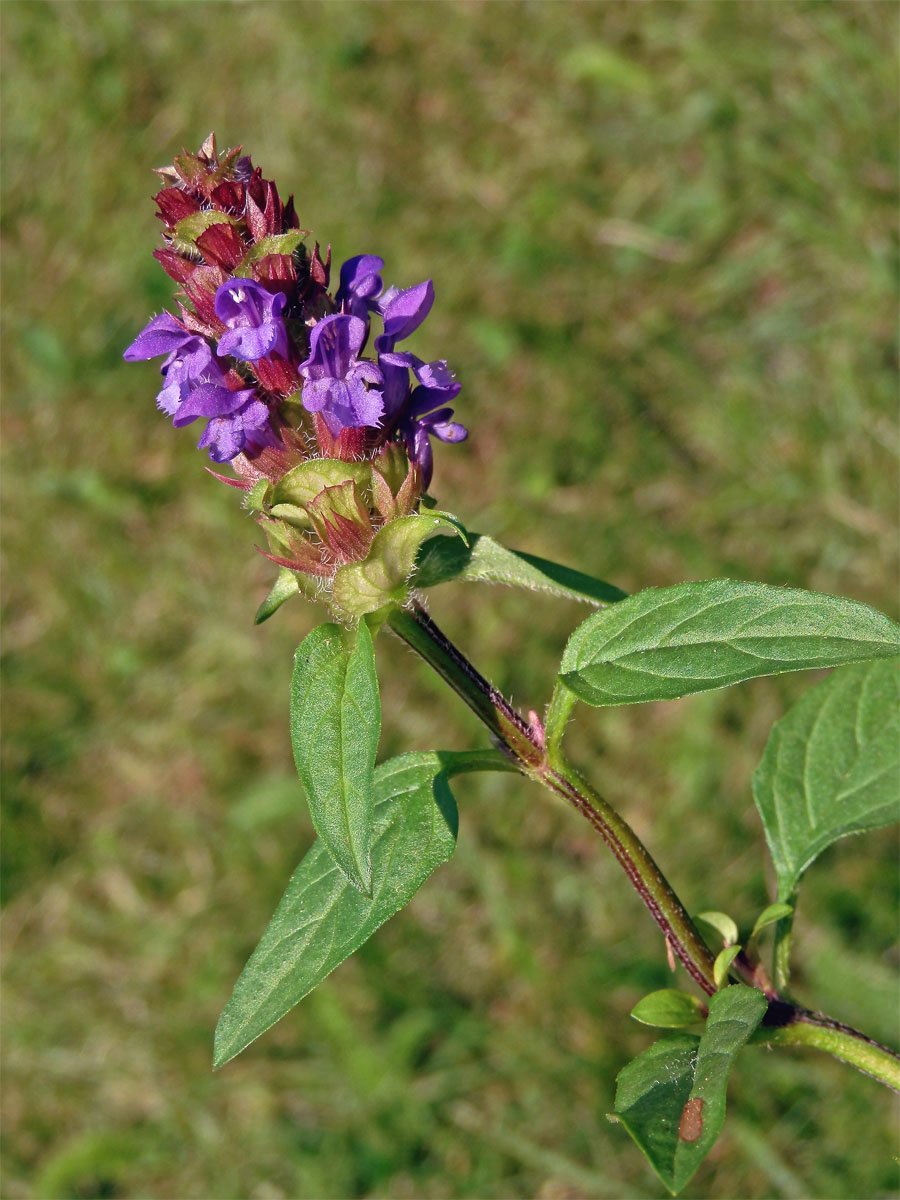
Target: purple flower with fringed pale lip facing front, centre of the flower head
{"type": "Point", "coordinates": [335, 380]}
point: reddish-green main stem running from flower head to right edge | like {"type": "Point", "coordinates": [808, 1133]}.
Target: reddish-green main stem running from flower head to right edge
{"type": "Point", "coordinates": [537, 753]}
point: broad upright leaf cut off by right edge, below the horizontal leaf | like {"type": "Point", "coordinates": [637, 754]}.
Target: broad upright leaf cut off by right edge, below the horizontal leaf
{"type": "Point", "coordinates": [831, 767]}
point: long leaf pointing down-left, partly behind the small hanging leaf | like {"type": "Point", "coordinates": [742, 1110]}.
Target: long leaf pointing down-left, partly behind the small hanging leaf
{"type": "Point", "coordinates": [322, 920]}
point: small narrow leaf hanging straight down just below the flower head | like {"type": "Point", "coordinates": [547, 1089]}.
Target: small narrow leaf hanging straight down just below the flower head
{"type": "Point", "coordinates": [335, 723]}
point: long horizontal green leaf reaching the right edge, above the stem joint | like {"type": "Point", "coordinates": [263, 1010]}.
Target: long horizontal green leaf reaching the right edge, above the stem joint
{"type": "Point", "coordinates": [669, 643]}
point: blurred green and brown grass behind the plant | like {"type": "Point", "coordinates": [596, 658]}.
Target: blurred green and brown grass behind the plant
{"type": "Point", "coordinates": [663, 239]}
